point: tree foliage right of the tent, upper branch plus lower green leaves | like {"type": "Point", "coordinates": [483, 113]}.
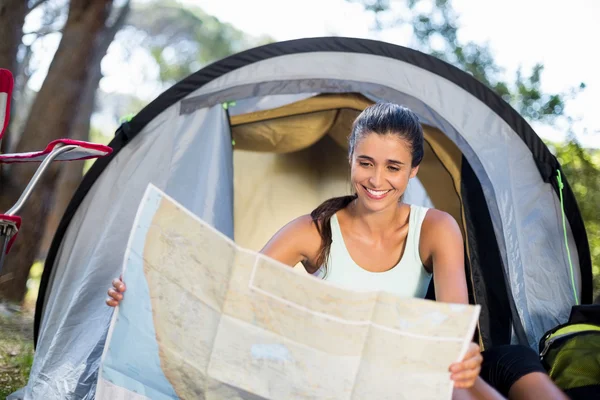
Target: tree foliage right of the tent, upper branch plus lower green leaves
{"type": "Point", "coordinates": [435, 32]}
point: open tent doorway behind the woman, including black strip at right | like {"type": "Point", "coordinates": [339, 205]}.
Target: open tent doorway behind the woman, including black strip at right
{"type": "Point", "coordinates": [289, 159]}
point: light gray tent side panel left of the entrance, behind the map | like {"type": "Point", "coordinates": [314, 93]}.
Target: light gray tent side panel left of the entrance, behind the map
{"type": "Point", "coordinates": [191, 159]}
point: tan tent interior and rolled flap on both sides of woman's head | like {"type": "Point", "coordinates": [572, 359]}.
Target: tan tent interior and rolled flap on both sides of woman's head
{"type": "Point", "coordinates": [289, 159]}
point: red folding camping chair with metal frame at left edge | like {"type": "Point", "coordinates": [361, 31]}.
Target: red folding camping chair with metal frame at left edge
{"type": "Point", "coordinates": [57, 150]}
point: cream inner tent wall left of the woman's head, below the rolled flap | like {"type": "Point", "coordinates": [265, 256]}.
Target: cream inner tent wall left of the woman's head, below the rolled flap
{"type": "Point", "coordinates": [280, 187]}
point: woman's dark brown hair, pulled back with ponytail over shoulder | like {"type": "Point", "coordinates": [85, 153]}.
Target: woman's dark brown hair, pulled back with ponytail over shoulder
{"type": "Point", "coordinates": [382, 119]}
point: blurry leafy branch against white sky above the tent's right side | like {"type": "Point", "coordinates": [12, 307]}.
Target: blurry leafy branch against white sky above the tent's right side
{"type": "Point", "coordinates": [436, 32]}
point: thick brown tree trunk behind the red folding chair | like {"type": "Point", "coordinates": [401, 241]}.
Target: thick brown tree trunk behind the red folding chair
{"type": "Point", "coordinates": [51, 117]}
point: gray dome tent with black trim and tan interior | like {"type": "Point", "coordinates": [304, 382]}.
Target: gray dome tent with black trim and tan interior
{"type": "Point", "coordinates": [258, 138]}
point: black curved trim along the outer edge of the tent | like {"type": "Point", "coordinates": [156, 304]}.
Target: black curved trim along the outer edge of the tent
{"type": "Point", "coordinates": [545, 161]}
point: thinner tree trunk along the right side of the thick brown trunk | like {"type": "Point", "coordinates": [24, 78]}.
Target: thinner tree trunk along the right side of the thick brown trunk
{"type": "Point", "coordinates": [71, 173]}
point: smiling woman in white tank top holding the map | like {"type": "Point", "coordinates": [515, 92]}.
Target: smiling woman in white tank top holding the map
{"type": "Point", "coordinates": [372, 240]}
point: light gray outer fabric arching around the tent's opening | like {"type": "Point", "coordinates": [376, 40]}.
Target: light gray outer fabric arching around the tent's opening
{"type": "Point", "coordinates": [186, 150]}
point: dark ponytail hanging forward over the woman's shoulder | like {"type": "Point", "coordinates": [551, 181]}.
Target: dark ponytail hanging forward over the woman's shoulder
{"type": "Point", "coordinates": [321, 217]}
